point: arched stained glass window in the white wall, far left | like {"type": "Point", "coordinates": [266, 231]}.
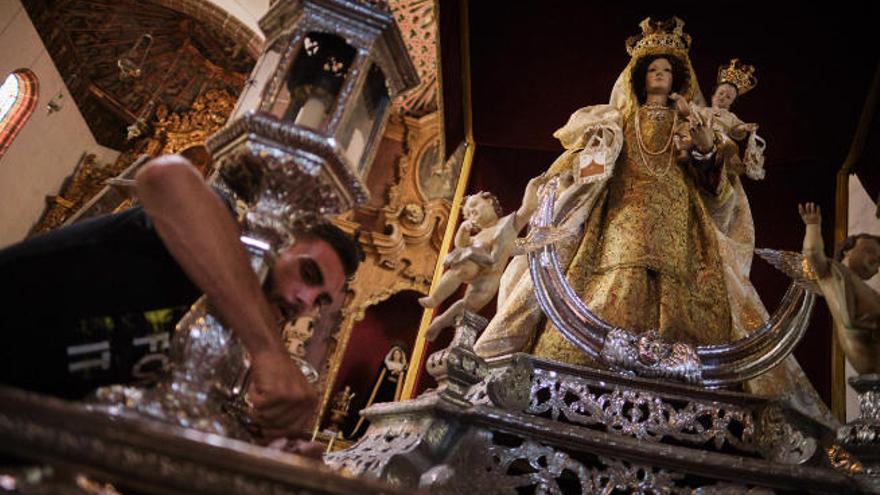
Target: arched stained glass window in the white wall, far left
{"type": "Point", "coordinates": [18, 97]}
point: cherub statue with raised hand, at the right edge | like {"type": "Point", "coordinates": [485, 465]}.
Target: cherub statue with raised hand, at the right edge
{"type": "Point", "coordinates": [854, 305]}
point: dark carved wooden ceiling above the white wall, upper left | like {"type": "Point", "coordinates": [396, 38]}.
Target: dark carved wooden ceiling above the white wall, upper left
{"type": "Point", "coordinates": [86, 39]}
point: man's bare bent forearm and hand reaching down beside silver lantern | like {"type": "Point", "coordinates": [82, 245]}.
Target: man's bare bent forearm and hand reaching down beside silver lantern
{"type": "Point", "coordinates": [201, 235]}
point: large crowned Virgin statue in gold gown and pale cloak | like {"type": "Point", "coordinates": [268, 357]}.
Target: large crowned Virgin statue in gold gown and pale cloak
{"type": "Point", "coordinates": [664, 232]}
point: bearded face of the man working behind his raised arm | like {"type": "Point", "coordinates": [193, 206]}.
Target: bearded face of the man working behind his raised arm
{"type": "Point", "coordinates": [307, 275]}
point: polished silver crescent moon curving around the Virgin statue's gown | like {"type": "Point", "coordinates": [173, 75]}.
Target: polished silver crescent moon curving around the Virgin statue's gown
{"type": "Point", "coordinates": [621, 349]}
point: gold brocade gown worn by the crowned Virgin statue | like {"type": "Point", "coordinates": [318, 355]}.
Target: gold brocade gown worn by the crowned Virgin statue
{"type": "Point", "coordinates": [648, 256]}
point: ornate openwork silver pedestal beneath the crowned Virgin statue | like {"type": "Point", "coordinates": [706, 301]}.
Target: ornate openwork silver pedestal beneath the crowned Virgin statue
{"type": "Point", "coordinates": [563, 429]}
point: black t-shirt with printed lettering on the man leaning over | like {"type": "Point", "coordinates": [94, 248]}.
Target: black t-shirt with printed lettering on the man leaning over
{"type": "Point", "coordinates": [89, 304]}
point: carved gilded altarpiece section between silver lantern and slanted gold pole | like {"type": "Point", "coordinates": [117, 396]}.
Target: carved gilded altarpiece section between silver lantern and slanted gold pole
{"type": "Point", "coordinates": [401, 239]}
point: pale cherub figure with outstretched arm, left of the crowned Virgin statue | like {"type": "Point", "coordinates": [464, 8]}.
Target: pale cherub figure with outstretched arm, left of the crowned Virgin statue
{"type": "Point", "coordinates": [484, 243]}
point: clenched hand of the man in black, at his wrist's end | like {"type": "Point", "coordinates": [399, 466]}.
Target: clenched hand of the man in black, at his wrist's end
{"type": "Point", "coordinates": [281, 398]}
